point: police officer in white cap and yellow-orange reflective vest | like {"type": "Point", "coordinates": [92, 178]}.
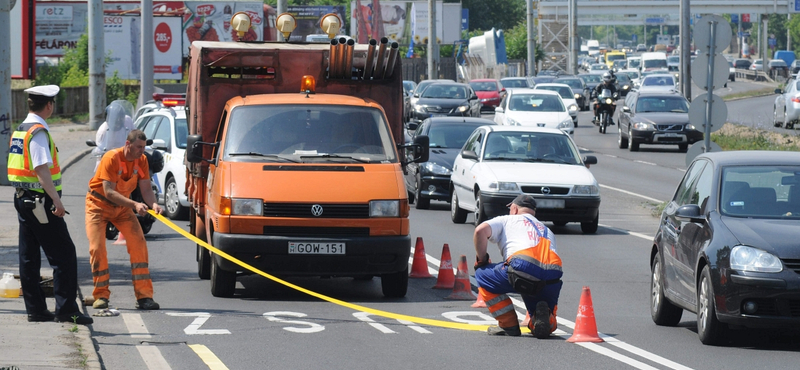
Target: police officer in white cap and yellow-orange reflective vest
{"type": "Point", "coordinates": [33, 169]}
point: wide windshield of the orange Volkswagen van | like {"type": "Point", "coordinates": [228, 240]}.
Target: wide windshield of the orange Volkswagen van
{"type": "Point", "coordinates": [308, 133]}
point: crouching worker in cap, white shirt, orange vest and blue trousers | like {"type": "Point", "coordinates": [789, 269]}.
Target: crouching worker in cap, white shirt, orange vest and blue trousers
{"type": "Point", "coordinates": [531, 267]}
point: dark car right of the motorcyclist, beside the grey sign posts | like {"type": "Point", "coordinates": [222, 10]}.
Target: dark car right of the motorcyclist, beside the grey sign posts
{"type": "Point", "coordinates": [656, 118]}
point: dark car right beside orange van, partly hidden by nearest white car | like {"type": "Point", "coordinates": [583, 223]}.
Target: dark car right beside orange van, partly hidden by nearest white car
{"type": "Point", "coordinates": [431, 179]}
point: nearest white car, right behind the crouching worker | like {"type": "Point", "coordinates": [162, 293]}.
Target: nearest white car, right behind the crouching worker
{"type": "Point", "coordinates": [497, 163]}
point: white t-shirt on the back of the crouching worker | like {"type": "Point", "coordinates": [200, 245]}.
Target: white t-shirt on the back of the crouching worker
{"type": "Point", "coordinates": [513, 233]}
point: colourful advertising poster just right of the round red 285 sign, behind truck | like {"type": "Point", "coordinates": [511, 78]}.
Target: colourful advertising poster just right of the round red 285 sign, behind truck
{"type": "Point", "coordinates": [210, 21]}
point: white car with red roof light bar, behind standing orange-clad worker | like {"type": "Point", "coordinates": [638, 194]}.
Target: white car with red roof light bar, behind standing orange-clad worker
{"type": "Point", "coordinates": [167, 127]}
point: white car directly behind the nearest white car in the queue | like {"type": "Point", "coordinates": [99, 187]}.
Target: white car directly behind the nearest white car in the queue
{"type": "Point", "coordinates": [538, 108]}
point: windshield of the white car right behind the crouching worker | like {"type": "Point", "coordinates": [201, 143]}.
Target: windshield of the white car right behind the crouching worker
{"type": "Point", "coordinates": [530, 147]}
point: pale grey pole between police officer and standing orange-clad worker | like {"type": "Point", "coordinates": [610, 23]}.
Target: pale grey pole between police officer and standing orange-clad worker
{"type": "Point", "coordinates": [97, 70]}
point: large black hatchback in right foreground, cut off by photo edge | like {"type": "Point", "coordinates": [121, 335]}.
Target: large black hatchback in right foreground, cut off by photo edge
{"type": "Point", "coordinates": [726, 247]}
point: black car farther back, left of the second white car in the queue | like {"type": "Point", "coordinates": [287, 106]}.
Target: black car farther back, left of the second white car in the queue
{"type": "Point", "coordinates": [446, 99]}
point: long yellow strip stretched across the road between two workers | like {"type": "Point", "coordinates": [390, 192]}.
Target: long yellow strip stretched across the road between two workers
{"type": "Point", "coordinates": [414, 319]}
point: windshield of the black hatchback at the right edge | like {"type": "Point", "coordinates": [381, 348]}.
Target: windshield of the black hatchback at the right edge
{"type": "Point", "coordinates": [760, 191]}
